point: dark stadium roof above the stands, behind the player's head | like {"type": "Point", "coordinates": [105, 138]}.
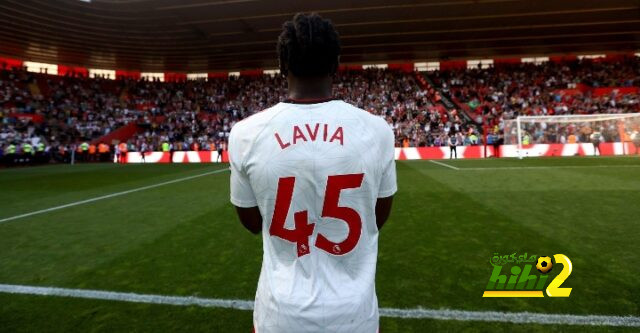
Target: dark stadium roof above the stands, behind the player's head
{"type": "Point", "coordinates": [200, 35]}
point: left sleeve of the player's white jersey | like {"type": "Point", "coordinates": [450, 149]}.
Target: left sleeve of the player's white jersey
{"type": "Point", "coordinates": [241, 192]}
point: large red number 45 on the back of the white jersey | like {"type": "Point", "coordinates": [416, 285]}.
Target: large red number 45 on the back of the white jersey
{"type": "Point", "coordinates": [303, 229]}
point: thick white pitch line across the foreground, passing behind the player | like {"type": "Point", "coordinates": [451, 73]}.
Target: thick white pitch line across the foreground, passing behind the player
{"type": "Point", "coordinates": [440, 314]}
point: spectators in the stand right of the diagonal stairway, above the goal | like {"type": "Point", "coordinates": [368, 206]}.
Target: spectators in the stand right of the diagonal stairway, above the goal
{"type": "Point", "coordinates": [493, 95]}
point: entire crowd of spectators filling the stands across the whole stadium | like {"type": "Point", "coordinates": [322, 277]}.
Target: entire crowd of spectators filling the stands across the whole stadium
{"type": "Point", "coordinates": [44, 117]}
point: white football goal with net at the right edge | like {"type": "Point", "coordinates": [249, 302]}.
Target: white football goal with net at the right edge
{"type": "Point", "coordinates": [569, 129]}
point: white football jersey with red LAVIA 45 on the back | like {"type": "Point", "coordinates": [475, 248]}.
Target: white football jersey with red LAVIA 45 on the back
{"type": "Point", "coordinates": [315, 172]}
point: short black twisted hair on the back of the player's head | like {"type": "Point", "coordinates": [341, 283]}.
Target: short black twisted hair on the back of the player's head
{"type": "Point", "coordinates": [309, 46]}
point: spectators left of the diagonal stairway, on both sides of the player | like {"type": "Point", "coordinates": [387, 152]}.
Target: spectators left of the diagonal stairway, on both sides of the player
{"type": "Point", "coordinates": [63, 116]}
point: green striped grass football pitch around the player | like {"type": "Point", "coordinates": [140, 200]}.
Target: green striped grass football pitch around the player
{"type": "Point", "coordinates": [170, 230]}
